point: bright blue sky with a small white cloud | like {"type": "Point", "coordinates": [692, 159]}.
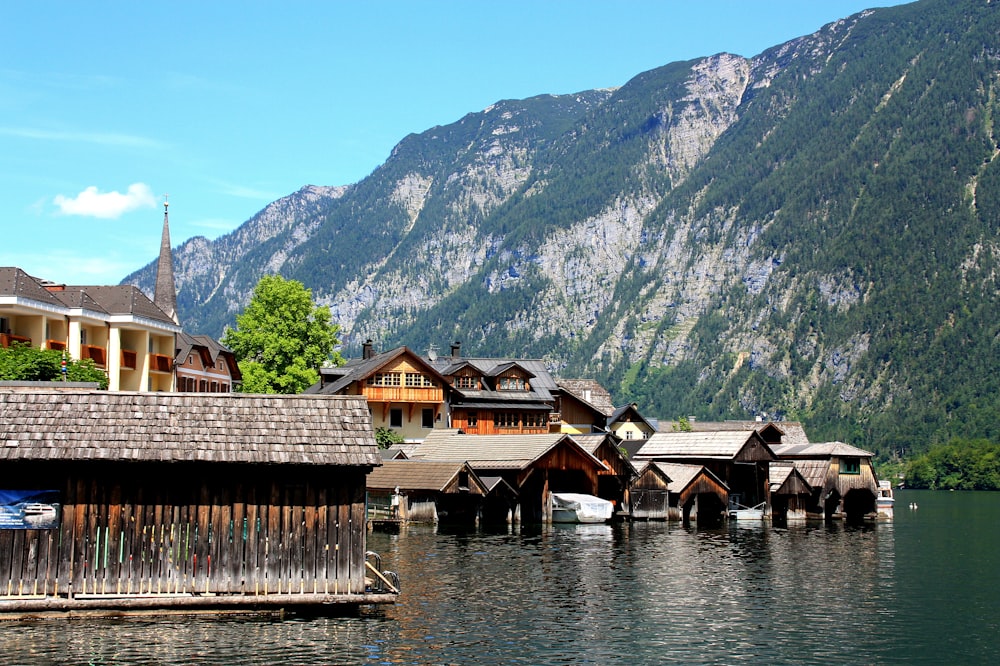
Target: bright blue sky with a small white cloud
{"type": "Point", "coordinates": [106, 108]}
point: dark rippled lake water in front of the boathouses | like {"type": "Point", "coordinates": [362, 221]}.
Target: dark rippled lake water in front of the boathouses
{"type": "Point", "coordinates": [924, 588]}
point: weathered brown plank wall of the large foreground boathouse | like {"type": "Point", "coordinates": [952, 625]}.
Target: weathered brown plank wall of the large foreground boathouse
{"type": "Point", "coordinates": [250, 537]}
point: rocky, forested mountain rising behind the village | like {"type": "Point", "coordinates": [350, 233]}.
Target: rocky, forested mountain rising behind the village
{"type": "Point", "coordinates": [810, 233]}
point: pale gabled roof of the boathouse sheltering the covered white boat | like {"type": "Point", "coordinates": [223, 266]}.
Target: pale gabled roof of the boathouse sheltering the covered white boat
{"type": "Point", "coordinates": [496, 451]}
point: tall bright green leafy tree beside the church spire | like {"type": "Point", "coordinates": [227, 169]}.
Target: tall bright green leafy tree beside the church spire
{"type": "Point", "coordinates": [282, 338]}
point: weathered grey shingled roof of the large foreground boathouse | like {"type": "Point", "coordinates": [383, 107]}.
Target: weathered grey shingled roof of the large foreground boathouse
{"type": "Point", "coordinates": [49, 424]}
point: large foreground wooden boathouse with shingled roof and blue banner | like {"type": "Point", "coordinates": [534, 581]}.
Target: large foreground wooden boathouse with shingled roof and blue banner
{"type": "Point", "coordinates": [119, 501]}
